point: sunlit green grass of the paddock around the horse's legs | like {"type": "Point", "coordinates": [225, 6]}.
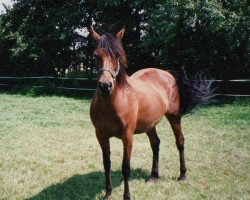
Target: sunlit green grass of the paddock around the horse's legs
{"type": "Point", "coordinates": [48, 150]}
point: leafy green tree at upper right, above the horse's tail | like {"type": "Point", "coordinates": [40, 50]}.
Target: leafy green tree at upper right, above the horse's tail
{"type": "Point", "coordinates": [202, 35]}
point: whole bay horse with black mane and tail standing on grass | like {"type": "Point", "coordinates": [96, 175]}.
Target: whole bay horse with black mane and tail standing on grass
{"type": "Point", "coordinates": [123, 106]}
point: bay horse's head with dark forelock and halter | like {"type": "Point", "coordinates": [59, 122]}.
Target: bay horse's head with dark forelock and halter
{"type": "Point", "coordinates": [111, 61]}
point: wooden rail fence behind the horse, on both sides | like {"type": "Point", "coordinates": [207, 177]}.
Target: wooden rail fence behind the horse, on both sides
{"type": "Point", "coordinates": [87, 86]}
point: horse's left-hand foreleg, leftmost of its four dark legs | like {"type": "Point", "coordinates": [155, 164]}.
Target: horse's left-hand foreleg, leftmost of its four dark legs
{"type": "Point", "coordinates": [105, 146]}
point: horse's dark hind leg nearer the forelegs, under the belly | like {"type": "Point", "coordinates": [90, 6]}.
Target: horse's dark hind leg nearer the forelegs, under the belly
{"type": "Point", "coordinates": [155, 144]}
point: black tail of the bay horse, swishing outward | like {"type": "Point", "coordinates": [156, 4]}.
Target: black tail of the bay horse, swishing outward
{"type": "Point", "coordinates": [194, 92]}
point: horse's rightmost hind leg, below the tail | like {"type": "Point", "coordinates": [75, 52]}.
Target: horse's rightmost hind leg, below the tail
{"type": "Point", "coordinates": [175, 122]}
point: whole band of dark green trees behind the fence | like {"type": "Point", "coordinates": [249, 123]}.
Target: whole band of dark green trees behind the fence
{"type": "Point", "coordinates": [40, 37]}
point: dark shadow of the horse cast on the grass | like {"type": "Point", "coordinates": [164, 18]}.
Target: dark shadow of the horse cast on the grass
{"type": "Point", "coordinates": [86, 186]}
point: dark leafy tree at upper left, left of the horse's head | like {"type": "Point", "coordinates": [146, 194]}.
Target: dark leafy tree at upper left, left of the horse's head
{"type": "Point", "coordinates": [41, 33]}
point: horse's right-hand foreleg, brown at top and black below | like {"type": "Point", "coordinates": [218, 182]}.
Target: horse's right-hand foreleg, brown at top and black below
{"type": "Point", "coordinates": [127, 149]}
